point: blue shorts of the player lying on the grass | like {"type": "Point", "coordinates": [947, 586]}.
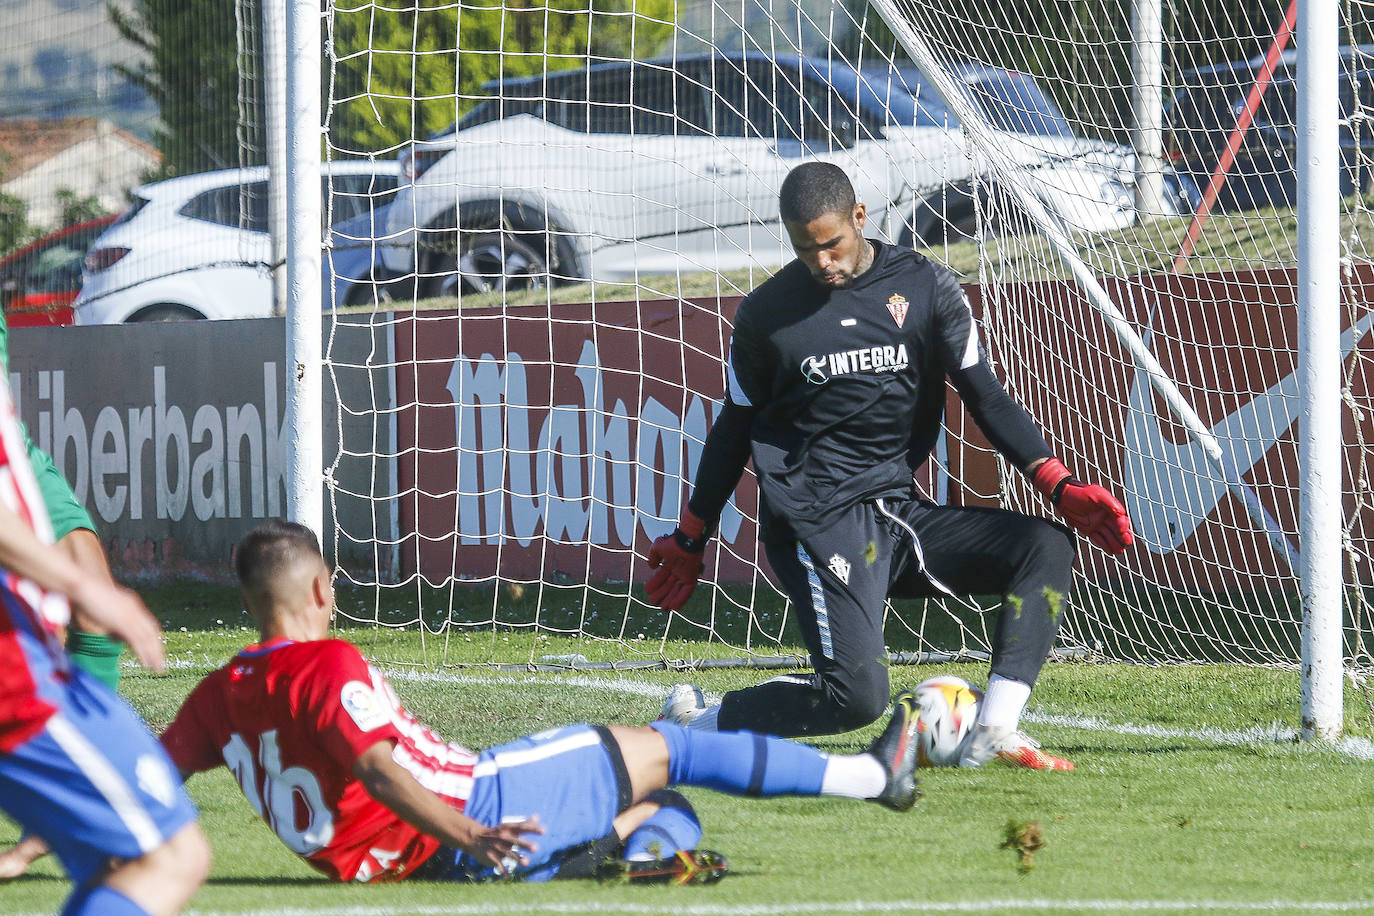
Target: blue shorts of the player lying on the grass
{"type": "Point", "coordinates": [574, 778]}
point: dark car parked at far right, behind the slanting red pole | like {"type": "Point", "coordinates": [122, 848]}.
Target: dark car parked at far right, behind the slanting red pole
{"type": "Point", "coordinates": [1210, 102]}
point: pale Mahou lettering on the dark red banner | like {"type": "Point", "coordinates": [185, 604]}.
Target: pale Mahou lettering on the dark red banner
{"type": "Point", "coordinates": [583, 470]}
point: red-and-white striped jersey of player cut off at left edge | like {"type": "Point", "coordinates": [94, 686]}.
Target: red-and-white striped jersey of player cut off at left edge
{"type": "Point", "coordinates": [32, 661]}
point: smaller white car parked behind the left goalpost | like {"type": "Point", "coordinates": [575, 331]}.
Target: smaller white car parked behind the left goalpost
{"type": "Point", "coordinates": [199, 248]}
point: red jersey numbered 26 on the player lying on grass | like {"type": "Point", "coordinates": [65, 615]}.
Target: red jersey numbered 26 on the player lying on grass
{"type": "Point", "coordinates": [291, 720]}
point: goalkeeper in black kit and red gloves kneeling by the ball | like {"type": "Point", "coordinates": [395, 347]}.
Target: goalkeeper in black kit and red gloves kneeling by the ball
{"type": "Point", "coordinates": [836, 389]}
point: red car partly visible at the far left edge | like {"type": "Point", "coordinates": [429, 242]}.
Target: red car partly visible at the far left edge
{"type": "Point", "coordinates": [39, 282]}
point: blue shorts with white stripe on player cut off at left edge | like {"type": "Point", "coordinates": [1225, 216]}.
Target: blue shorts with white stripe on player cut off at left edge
{"type": "Point", "coordinates": [94, 783]}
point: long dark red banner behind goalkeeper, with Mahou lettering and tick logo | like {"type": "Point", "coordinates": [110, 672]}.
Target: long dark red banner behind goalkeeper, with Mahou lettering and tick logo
{"type": "Point", "coordinates": [548, 442]}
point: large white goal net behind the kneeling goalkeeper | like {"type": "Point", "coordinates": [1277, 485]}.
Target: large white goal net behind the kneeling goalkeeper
{"type": "Point", "coordinates": [534, 344]}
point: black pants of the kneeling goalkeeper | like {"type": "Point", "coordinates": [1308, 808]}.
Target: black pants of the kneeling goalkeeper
{"type": "Point", "coordinates": [839, 579]}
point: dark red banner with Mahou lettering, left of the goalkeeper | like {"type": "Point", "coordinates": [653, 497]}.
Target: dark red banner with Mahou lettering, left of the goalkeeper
{"type": "Point", "coordinates": [554, 442]}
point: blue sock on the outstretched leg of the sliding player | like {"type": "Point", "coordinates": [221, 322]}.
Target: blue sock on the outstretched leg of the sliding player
{"type": "Point", "coordinates": [741, 763]}
